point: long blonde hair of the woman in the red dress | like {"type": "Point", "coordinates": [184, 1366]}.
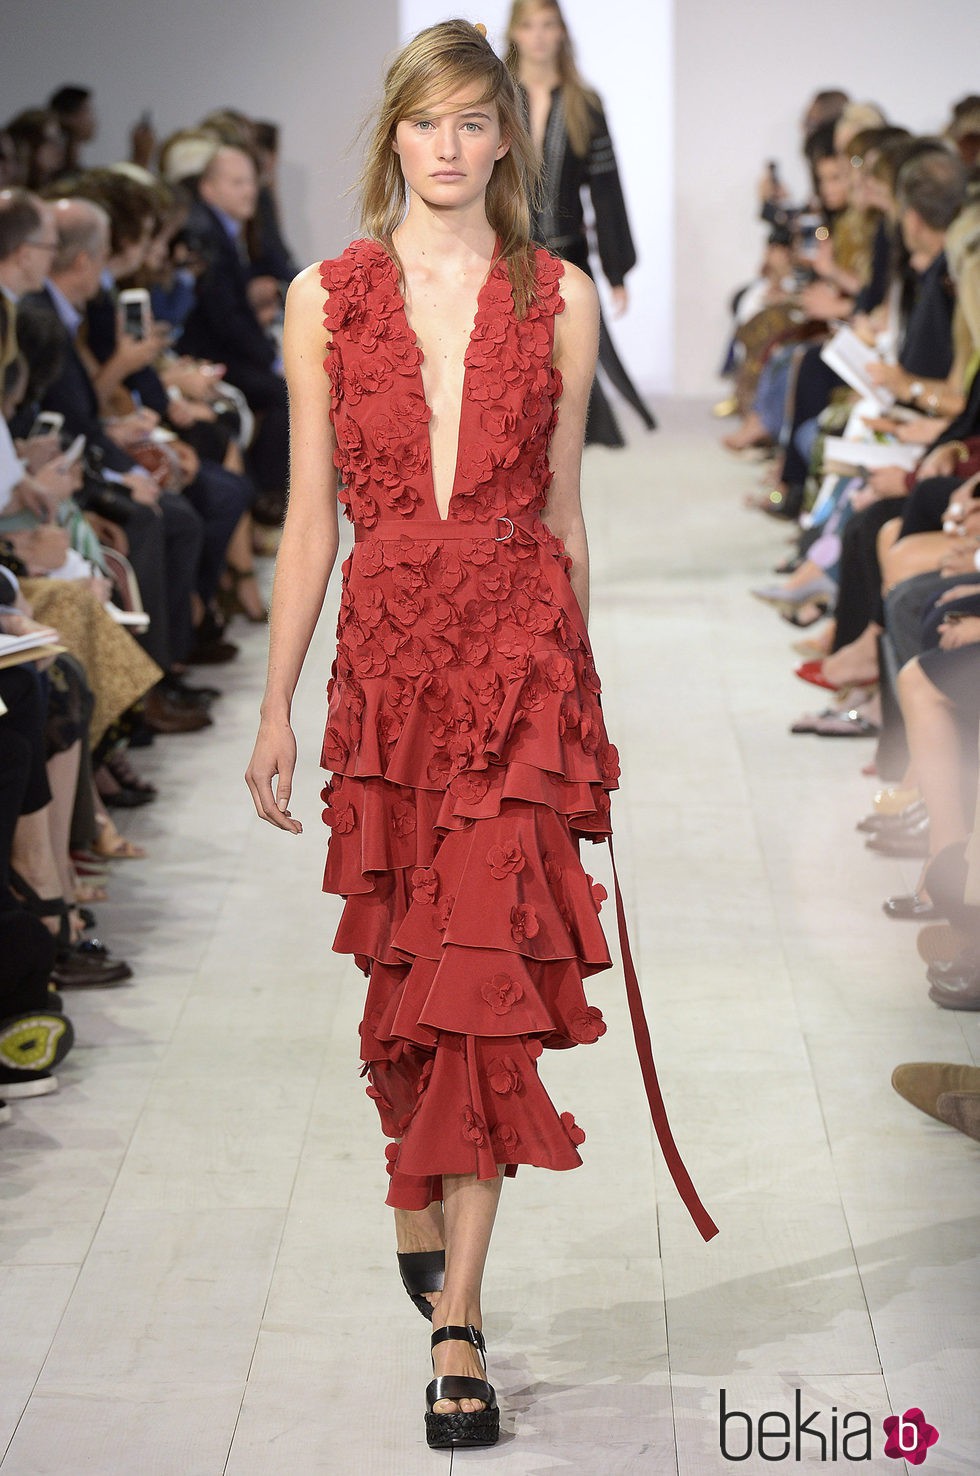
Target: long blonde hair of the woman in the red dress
{"type": "Point", "coordinates": [445, 60]}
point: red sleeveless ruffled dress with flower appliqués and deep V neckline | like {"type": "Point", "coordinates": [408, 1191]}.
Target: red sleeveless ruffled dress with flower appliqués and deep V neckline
{"type": "Point", "coordinates": [464, 737]}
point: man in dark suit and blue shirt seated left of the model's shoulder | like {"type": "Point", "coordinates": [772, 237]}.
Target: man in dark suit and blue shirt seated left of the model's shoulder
{"type": "Point", "coordinates": [224, 324]}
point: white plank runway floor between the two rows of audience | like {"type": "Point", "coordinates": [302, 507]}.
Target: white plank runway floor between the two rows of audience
{"type": "Point", "coordinates": [197, 1272]}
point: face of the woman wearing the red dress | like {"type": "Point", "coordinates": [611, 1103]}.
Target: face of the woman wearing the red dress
{"type": "Point", "coordinates": [448, 151]}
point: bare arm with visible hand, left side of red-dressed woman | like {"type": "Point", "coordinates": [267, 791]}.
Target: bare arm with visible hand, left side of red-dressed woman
{"type": "Point", "coordinates": [308, 550]}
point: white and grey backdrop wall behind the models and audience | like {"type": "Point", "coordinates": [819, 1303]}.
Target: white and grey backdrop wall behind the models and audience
{"type": "Point", "coordinates": [699, 94]}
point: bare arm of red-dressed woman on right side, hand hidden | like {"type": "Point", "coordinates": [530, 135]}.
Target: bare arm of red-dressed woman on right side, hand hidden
{"type": "Point", "coordinates": [576, 349]}
